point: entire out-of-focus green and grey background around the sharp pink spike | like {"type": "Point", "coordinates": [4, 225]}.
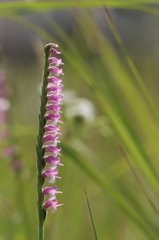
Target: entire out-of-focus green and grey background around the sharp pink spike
{"type": "Point", "coordinates": [110, 133]}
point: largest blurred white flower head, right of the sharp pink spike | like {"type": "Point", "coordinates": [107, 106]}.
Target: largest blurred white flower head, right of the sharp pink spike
{"type": "Point", "coordinates": [83, 108]}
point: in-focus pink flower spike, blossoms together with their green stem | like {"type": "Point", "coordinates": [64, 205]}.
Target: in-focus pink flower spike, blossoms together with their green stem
{"type": "Point", "coordinates": [48, 149]}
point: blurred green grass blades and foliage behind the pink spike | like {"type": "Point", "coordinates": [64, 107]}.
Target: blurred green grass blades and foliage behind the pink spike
{"type": "Point", "coordinates": [122, 182]}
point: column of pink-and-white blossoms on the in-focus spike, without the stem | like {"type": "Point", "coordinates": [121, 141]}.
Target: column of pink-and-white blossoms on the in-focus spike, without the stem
{"type": "Point", "coordinates": [51, 129]}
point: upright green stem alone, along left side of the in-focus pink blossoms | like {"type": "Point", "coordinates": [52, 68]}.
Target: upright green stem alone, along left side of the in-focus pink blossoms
{"type": "Point", "coordinates": [39, 148]}
